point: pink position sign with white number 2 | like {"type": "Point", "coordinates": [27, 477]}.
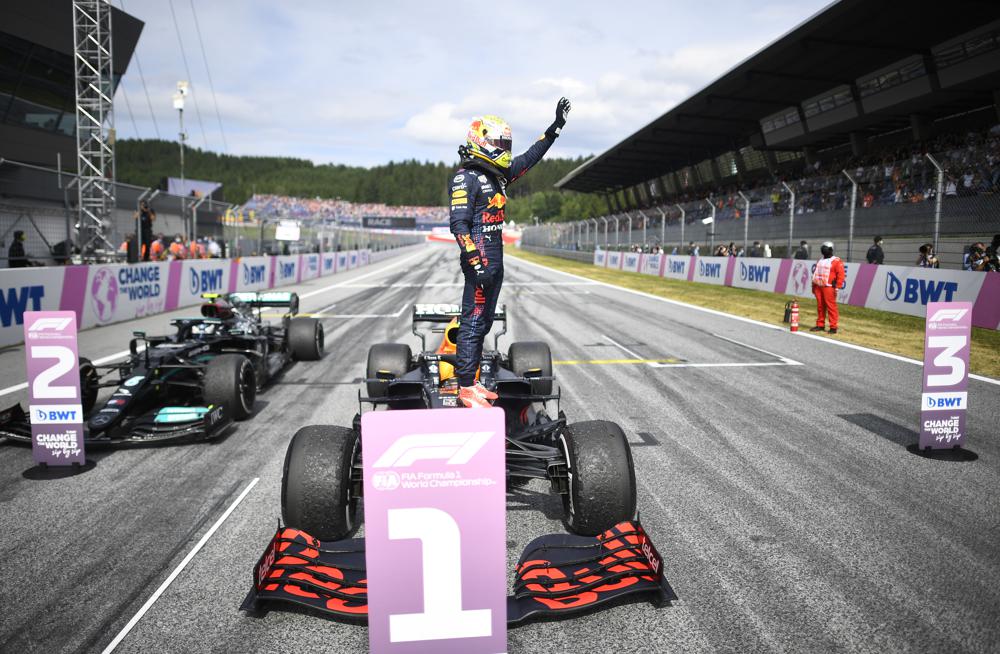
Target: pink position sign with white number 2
{"type": "Point", "coordinates": [55, 403]}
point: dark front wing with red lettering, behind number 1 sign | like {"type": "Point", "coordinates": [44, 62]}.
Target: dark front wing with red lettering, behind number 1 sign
{"type": "Point", "coordinates": [557, 575]}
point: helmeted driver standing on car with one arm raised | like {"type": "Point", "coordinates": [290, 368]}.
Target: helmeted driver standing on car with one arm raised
{"type": "Point", "coordinates": [478, 196]}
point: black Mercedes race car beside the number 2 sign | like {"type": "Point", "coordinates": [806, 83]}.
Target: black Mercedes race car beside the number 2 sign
{"type": "Point", "coordinates": [194, 383]}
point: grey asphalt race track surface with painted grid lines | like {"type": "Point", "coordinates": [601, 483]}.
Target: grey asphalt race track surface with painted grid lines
{"type": "Point", "coordinates": [788, 509]}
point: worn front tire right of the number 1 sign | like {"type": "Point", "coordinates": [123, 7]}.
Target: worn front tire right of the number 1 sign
{"type": "Point", "coordinates": [601, 477]}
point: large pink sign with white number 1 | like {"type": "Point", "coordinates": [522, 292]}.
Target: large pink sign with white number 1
{"type": "Point", "coordinates": [435, 539]}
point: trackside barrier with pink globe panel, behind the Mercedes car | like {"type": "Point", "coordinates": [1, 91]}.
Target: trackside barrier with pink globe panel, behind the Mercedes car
{"type": "Point", "coordinates": [103, 294]}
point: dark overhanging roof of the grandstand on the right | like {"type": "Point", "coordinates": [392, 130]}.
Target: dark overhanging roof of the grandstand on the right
{"type": "Point", "coordinates": [855, 68]}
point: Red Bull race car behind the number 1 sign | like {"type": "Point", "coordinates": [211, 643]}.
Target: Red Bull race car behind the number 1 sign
{"type": "Point", "coordinates": [609, 556]}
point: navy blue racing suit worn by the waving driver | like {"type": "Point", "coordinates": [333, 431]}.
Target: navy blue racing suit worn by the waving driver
{"type": "Point", "coordinates": [478, 196]}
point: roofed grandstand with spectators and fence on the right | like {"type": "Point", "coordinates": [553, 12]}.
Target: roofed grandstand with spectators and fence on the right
{"type": "Point", "coordinates": [866, 101]}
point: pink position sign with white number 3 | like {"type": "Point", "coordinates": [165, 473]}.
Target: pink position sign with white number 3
{"type": "Point", "coordinates": [944, 400]}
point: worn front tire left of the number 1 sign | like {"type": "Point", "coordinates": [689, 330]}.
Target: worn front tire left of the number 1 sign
{"type": "Point", "coordinates": [316, 486]}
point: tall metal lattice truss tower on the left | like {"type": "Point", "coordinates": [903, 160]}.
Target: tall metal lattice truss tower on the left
{"type": "Point", "coordinates": [95, 125]}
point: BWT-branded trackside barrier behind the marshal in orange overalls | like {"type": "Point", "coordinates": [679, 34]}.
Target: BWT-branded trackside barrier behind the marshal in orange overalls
{"type": "Point", "coordinates": [899, 289]}
